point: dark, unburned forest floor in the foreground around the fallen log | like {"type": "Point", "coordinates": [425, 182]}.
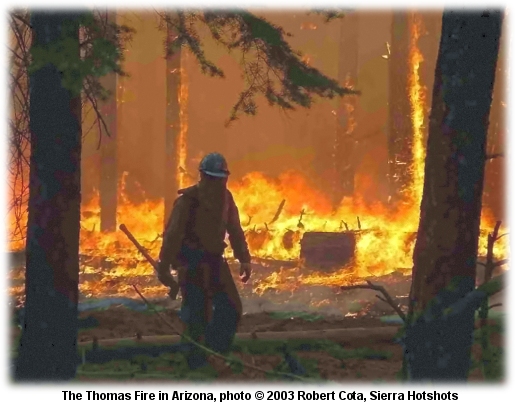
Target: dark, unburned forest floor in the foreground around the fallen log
{"type": "Point", "coordinates": [360, 349]}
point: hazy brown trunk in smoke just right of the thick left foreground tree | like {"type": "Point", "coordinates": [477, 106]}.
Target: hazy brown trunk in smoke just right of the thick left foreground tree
{"type": "Point", "coordinates": [108, 159]}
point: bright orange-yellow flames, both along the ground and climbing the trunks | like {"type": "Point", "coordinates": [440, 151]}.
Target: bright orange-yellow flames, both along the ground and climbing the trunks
{"type": "Point", "coordinates": [110, 263]}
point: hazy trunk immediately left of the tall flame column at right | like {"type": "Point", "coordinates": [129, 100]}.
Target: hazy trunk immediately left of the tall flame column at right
{"type": "Point", "coordinates": [399, 137]}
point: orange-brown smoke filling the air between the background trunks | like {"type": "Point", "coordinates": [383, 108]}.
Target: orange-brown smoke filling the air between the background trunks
{"type": "Point", "coordinates": [272, 142]}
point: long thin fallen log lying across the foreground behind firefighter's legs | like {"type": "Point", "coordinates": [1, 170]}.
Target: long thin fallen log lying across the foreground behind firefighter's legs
{"type": "Point", "coordinates": [367, 335]}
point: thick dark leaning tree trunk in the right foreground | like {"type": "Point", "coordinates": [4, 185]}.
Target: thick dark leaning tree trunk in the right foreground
{"type": "Point", "coordinates": [438, 342]}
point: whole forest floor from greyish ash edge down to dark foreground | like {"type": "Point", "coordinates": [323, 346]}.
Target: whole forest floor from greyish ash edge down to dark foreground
{"type": "Point", "coordinates": [349, 337]}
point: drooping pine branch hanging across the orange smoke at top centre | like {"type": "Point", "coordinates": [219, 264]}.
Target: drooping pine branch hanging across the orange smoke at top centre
{"type": "Point", "coordinates": [271, 68]}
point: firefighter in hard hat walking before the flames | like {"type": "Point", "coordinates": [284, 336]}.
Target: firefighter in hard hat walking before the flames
{"type": "Point", "coordinates": [193, 245]}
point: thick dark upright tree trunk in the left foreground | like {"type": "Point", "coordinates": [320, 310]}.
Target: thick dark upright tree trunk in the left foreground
{"type": "Point", "coordinates": [48, 345]}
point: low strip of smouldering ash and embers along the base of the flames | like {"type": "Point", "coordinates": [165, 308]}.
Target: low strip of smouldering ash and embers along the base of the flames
{"type": "Point", "coordinates": [273, 288]}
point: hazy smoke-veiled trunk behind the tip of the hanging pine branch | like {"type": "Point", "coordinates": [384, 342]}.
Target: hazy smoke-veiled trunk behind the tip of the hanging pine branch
{"type": "Point", "coordinates": [344, 169]}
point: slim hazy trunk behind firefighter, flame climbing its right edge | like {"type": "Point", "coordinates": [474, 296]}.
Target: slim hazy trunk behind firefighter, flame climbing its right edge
{"type": "Point", "coordinates": [173, 123]}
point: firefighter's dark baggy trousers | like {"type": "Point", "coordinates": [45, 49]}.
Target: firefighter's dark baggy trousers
{"type": "Point", "coordinates": [211, 305]}
